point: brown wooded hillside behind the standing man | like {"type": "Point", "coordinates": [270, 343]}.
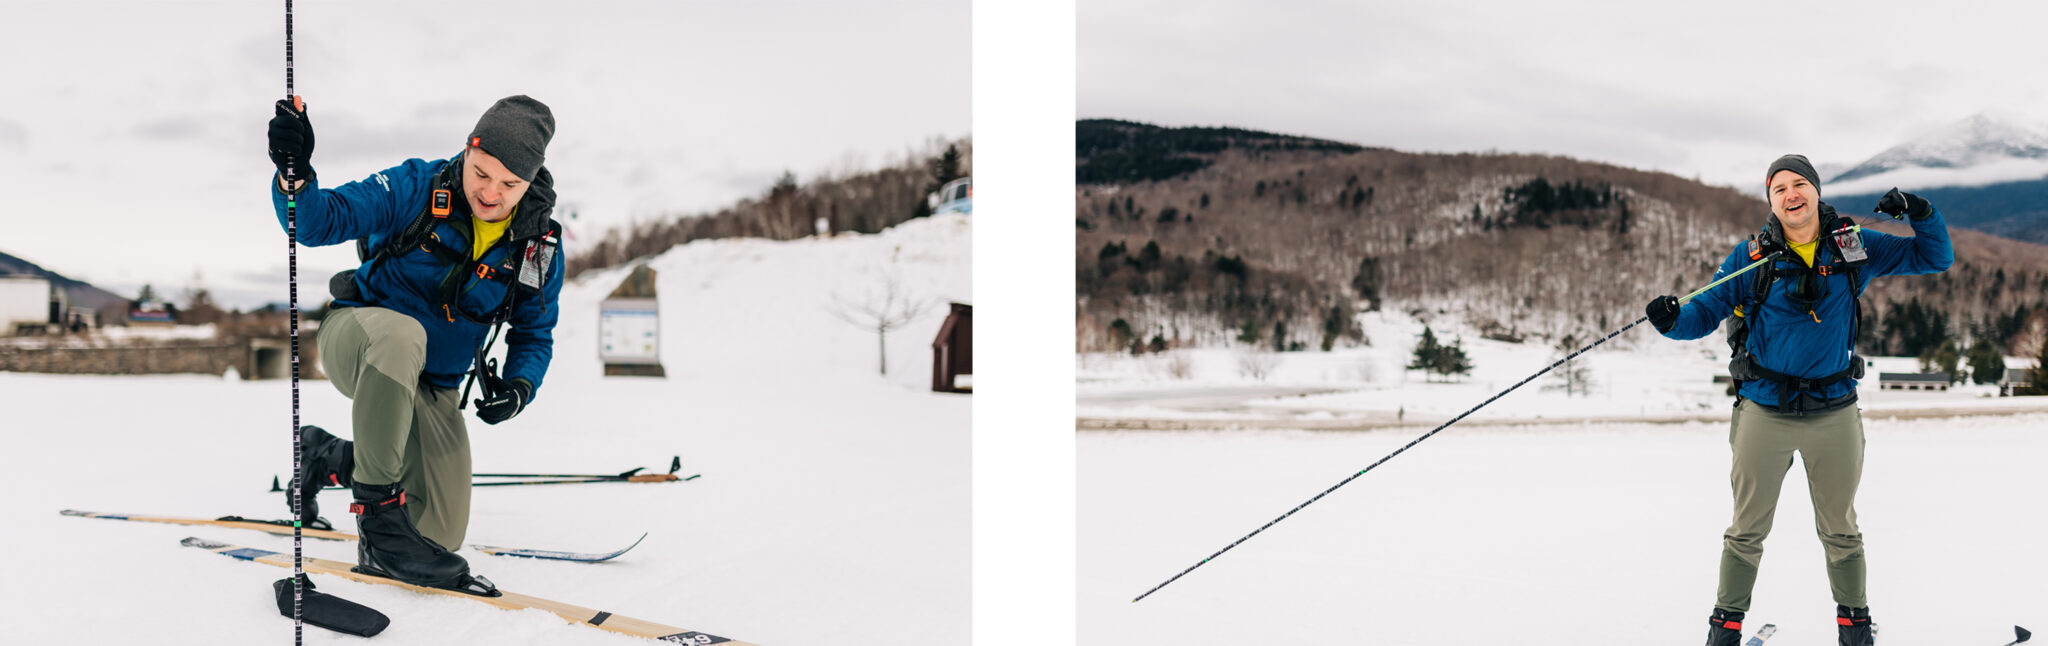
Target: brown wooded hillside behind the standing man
{"type": "Point", "coordinates": [1220, 237]}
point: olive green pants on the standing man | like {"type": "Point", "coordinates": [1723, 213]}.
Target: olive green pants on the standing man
{"type": "Point", "coordinates": [1832, 446]}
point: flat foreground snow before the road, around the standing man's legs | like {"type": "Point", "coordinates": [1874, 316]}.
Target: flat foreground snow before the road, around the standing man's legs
{"type": "Point", "coordinates": [1535, 536]}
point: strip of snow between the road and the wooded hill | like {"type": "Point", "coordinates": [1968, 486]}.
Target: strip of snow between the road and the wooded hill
{"type": "Point", "coordinates": [1637, 376]}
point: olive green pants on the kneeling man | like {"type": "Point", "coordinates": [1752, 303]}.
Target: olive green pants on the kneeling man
{"type": "Point", "coordinates": [407, 432]}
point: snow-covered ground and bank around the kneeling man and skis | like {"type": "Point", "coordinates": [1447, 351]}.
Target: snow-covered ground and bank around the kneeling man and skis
{"type": "Point", "coordinates": [833, 506]}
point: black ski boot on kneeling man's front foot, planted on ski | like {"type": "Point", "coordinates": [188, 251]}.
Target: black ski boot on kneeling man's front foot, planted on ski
{"type": "Point", "coordinates": [394, 549]}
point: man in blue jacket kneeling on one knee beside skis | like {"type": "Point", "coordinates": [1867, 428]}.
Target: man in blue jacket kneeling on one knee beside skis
{"type": "Point", "coordinates": [450, 251]}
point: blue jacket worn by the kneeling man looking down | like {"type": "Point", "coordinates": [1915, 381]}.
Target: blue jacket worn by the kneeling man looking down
{"type": "Point", "coordinates": [411, 282]}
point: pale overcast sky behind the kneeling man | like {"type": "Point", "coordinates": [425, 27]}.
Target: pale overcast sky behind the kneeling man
{"type": "Point", "coordinates": [132, 134]}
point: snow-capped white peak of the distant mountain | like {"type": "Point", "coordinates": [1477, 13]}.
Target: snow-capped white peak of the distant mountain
{"type": "Point", "coordinates": [1979, 151]}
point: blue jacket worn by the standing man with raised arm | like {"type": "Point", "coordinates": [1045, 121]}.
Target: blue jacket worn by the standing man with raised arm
{"type": "Point", "coordinates": [1811, 341]}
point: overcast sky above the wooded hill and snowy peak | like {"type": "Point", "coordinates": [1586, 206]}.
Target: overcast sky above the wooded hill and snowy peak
{"type": "Point", "coordinates": [1697, 89]}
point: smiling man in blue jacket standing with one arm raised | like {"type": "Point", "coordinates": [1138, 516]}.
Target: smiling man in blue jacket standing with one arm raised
{"type": "Point", "coordinates": [1797, 368]}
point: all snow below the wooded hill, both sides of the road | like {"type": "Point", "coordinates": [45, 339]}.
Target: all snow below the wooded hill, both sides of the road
{"type": "Point", "coordinates": [1543, 520]}
